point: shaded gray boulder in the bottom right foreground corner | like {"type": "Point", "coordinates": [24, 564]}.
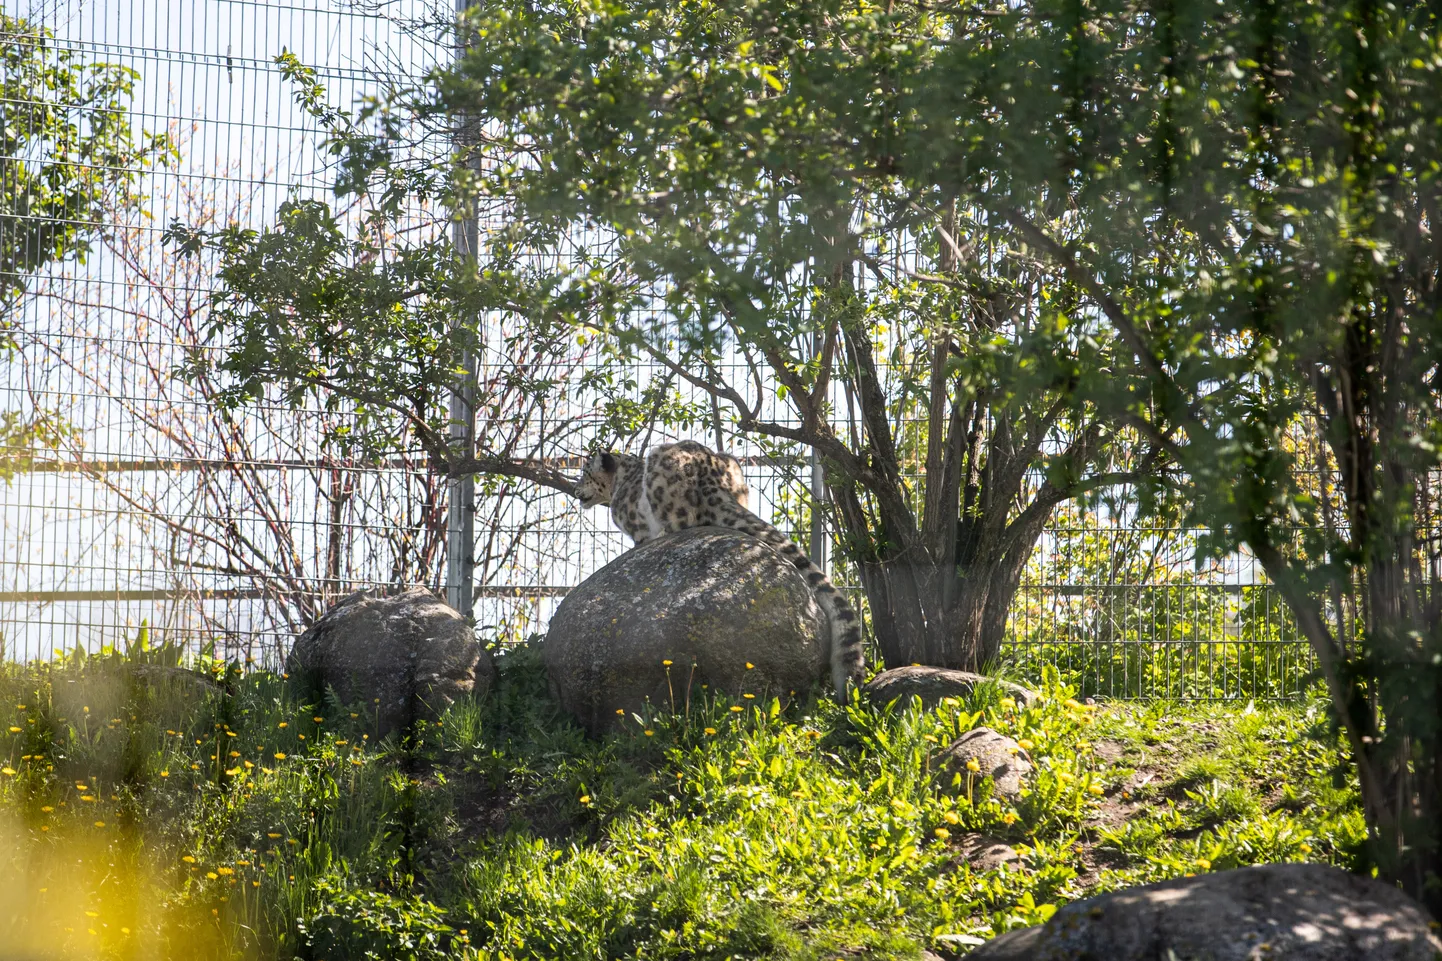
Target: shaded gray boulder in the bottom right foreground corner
{"type": "Point", "coordinates": [1271, 913]}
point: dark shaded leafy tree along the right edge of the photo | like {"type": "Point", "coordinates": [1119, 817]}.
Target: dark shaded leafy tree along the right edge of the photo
{"type": "Point", "coordinates": [1258, 201]}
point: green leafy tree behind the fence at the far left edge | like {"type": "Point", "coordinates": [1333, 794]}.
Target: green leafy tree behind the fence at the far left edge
{"type": "Point", "coordinates": [71, 154]}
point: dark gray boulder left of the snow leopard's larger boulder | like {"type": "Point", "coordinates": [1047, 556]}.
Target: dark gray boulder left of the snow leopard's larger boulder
{"type": "Point", "coordinates": [406, 657]}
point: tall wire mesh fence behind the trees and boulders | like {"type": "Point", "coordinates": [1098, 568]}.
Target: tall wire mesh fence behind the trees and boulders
{"type": "Point", "coordinates": [154, 506]}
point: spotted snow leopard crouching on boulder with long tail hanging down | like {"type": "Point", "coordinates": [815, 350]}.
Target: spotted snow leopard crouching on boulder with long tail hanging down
{"type": "Point", "coordinates": [690, 486]}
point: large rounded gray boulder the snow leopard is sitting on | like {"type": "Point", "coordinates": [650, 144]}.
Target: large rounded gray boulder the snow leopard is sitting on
{"type": "Point", "coordinates": [726, 610]}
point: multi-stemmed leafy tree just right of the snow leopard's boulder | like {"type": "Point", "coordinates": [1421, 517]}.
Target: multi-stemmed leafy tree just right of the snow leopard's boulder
{"type": "Point", "coordinates": [738, 174]}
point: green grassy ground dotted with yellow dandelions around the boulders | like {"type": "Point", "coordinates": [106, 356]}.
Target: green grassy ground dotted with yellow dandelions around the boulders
{"type": "Point", "coordinates": [131, 830]}
